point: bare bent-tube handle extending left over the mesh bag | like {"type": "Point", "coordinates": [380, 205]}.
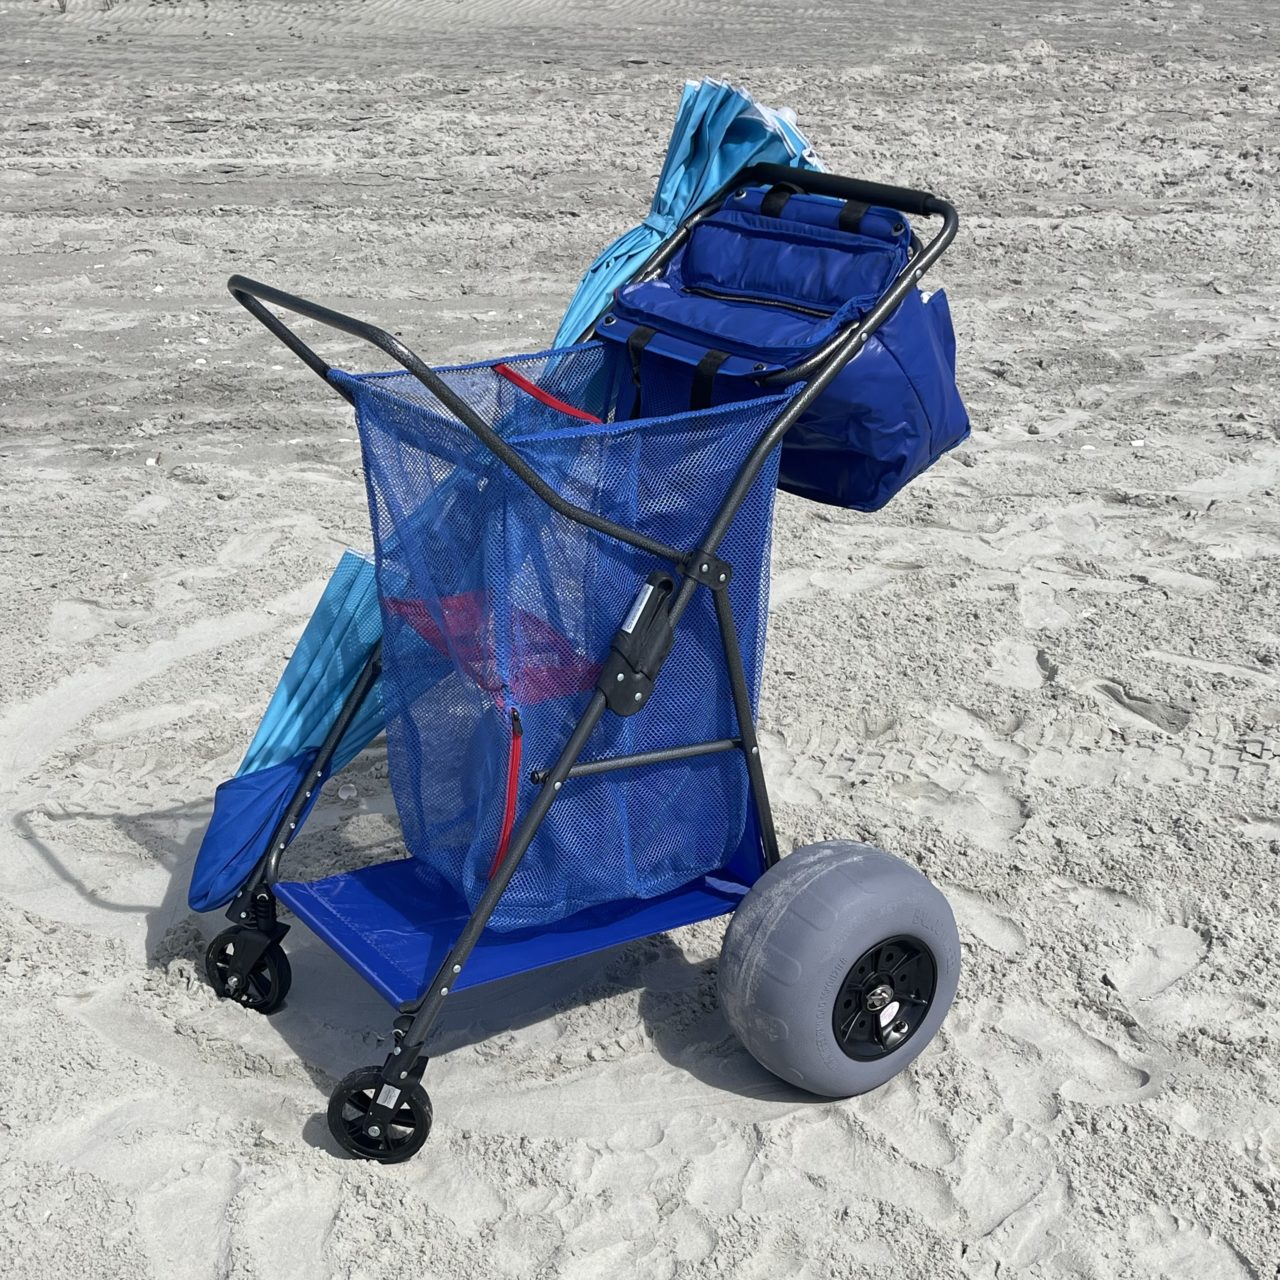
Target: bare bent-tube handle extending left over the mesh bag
{"type": "Point", "coordinates": [253, 295]}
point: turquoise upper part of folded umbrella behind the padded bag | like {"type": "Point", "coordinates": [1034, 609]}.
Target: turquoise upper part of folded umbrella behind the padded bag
{"type": "Point", "coordinates": [719, 132]}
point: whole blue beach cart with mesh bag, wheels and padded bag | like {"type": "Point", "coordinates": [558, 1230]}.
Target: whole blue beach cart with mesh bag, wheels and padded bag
{"type": "Point", "coordinates": [572, 573]}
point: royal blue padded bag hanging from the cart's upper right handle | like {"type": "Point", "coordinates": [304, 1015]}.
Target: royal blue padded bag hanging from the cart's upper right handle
{"type": "Point", "coordinates": [766, 290]}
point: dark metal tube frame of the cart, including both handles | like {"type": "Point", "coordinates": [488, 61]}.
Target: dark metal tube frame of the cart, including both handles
{"type": "Point", "coordinates": [638, 653]}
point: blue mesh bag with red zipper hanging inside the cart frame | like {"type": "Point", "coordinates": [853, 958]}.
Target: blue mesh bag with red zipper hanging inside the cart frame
{"type": "Point", "coordinates": [497, 614]}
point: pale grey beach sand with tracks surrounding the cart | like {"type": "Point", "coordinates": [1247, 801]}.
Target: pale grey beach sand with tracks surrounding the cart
{"type": "Point", "coordinates": [1049, 674]}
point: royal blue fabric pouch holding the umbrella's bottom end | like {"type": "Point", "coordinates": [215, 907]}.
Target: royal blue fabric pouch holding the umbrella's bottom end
{"type": "Point", "coordinates": [246, 811]}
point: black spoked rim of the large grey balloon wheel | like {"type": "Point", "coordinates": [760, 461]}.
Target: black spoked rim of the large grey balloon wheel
{"type": "Point", "coordinates": [885, 999]}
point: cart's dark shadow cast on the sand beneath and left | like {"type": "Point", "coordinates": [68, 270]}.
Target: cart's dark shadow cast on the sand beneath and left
{"type": "Point", "coordinates": [335, 1018]}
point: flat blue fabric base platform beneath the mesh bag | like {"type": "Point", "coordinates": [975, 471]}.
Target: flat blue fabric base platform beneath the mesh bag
{"type": "Point", "coordinates": [391, 925]}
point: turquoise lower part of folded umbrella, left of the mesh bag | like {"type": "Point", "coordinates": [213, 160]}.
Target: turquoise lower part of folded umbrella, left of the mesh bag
{"type": "Point", "coordinates": [322, 673]}
